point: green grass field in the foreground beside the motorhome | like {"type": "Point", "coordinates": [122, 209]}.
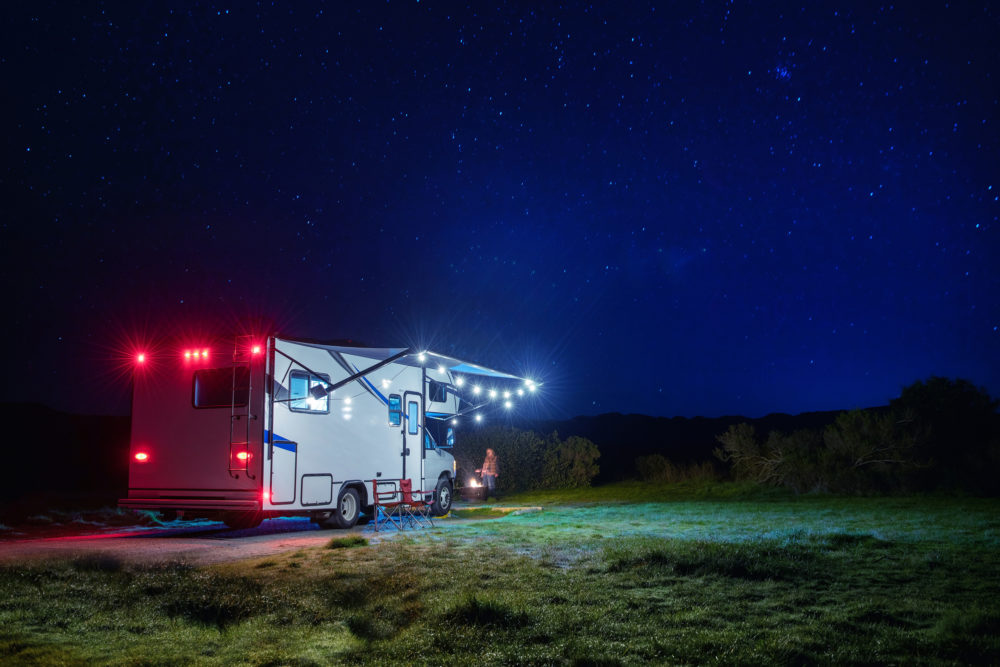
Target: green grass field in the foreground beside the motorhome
{"type": "Point", "coordinates": [618, 574]}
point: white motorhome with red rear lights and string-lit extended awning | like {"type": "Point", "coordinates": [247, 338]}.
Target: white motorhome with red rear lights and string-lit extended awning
{"type": "Point", "coordinates": [257, 426]}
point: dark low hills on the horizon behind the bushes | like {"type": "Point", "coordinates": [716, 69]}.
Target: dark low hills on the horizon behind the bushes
{"type": "Point", "coordinates": [622, 438]}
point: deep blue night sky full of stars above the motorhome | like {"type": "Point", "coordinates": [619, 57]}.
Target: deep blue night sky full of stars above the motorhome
{"type": "Point", "coordinates": [670, 208]}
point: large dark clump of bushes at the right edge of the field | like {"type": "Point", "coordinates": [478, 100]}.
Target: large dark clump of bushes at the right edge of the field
{"type": "Point", "coordinates": [942, 433]}
